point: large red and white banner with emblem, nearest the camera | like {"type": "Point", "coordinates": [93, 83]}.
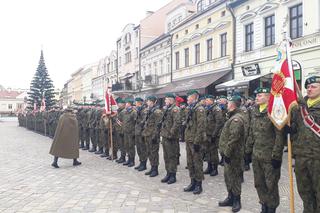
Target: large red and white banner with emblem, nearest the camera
{"type": "Point", "coordinates": [283, 91]}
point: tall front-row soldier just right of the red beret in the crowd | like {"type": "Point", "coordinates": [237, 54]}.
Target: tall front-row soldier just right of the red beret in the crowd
{"type": "Point", "coordinates": [195, 135]}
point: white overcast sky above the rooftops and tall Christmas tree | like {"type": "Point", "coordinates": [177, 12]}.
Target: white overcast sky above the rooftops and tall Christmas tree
{"type": "Point", "coordinates": [72, 32]}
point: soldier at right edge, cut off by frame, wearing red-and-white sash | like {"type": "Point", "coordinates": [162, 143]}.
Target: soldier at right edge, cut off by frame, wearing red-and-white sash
{"type": "Point", "coordinates": [306, 147]}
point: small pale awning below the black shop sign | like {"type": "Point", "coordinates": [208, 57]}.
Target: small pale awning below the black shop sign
{"type": "Point", "coordinates": [236, 83]}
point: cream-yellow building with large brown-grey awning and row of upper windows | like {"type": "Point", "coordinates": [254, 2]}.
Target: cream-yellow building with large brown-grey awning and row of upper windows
{"type": "Point", "coordinates": [202, 49]}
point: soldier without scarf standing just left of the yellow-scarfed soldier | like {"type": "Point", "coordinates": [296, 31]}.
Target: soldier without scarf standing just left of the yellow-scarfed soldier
{"type": "Point", "coordinates": [232, 145]}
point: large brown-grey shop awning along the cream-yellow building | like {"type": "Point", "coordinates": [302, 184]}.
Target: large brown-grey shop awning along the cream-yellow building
{"type": "Point", "coordinates": [199, 83]}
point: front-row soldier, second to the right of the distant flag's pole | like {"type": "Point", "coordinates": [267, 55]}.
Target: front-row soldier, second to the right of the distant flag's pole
{"type": "Point", "coordinates": [129, 116]}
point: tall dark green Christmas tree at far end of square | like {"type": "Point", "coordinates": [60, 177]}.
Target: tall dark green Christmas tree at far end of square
{"type": "Point", "coordinates": [41, 87]}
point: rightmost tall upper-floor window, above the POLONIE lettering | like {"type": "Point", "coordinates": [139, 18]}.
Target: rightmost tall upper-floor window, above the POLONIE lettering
{"type": "Point", "coordinates": [296, 21]}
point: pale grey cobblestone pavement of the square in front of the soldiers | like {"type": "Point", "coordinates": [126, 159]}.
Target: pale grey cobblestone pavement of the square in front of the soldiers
{"type": "Point", "coordinates": [29, 184]}
